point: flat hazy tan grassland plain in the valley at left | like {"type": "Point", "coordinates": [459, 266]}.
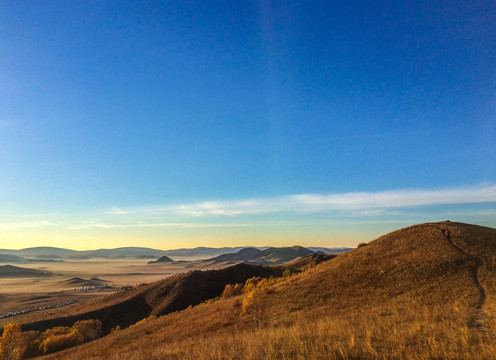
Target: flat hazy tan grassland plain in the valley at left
{"type": "Point", "coordinates": [72, 280]}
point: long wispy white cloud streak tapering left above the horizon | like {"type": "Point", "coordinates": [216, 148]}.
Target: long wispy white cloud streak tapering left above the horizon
{"type": "Point", "coordinates": [364, 202]}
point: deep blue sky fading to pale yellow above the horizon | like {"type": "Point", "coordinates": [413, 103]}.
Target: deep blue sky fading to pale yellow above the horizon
{"type": "Point", "coordinates": [178, 124]}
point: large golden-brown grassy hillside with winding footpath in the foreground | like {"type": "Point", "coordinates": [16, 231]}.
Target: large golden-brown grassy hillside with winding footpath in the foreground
{"type": "Point", "coordinates": [411, 294]}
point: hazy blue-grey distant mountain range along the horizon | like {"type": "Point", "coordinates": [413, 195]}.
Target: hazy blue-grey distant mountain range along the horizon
{"type": "Point", "coordinates": [43, 254]}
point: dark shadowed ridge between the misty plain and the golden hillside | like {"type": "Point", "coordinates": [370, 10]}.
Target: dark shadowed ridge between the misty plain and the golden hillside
{"type": "Point", "coordinates": [171, 294]}
